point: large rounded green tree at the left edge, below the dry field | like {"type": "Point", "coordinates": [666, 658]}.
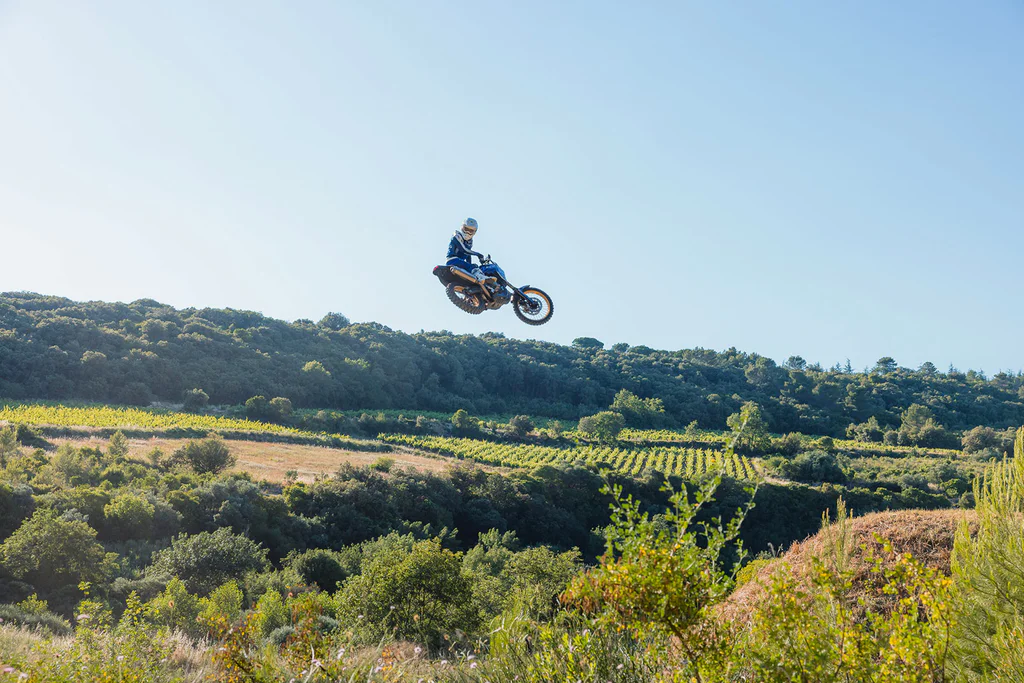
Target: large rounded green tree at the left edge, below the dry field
{"type": "Point", "coordinates": [52, 551]}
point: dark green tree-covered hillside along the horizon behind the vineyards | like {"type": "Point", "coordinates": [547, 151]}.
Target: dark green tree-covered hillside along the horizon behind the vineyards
{"type": "Point", "coordinates": [52, 348]}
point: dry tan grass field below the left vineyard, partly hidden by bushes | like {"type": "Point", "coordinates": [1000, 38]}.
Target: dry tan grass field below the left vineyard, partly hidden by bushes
{"type": "Point", "coordinates": [271, 461]}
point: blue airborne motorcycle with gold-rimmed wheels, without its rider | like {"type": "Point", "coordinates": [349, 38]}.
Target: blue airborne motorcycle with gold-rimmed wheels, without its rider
{"type": "Point", "coordinates": [531, 305]}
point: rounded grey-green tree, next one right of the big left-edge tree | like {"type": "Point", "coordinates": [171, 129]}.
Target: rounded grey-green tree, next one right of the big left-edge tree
{"type": "Point", "coordinates": [207, 561]}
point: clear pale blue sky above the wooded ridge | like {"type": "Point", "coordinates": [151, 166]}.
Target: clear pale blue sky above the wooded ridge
{"type": "Point", "coordinates": [831, 180]}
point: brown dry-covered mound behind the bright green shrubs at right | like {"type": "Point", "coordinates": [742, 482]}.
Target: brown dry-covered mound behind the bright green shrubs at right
{"type": "Point", "coordinates": [928, 535]}
